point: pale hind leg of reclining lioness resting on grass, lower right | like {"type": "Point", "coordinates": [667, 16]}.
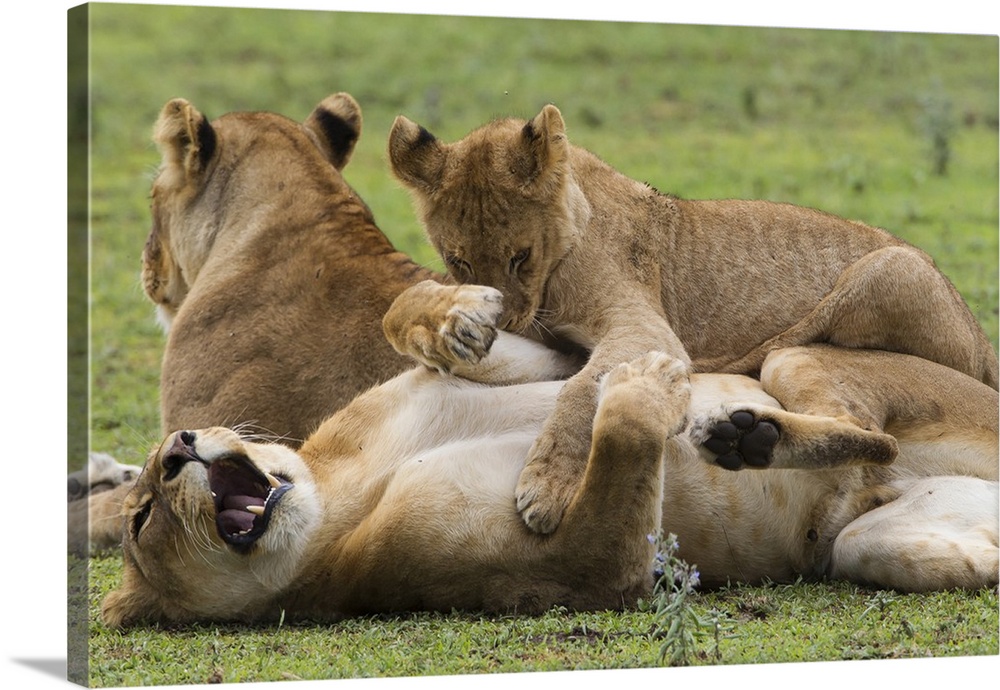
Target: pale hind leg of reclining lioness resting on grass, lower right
{"type": "Point", "coordinates": [941, 533]}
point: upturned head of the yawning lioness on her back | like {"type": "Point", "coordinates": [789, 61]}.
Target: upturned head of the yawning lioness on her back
{"type": "Point", "coordinates": [215, 527]}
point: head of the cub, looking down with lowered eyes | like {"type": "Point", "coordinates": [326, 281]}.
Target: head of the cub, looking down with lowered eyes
{"type": "Point", "coordinates": [500, 206]}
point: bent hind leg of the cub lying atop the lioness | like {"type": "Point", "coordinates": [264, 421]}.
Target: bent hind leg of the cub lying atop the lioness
{"type": "Point", "coordinates": [891, 299]}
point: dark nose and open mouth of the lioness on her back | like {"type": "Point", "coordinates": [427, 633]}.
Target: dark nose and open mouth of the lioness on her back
{"type": "Point", "coordinates": [244, 495]}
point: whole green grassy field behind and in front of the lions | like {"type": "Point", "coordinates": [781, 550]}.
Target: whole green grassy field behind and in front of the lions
{"type": "Point", "coordinates": [899, 130]}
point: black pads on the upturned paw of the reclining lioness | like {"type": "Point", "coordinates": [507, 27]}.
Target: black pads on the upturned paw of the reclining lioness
{"type": "Point", "coordinates": [740, 440]}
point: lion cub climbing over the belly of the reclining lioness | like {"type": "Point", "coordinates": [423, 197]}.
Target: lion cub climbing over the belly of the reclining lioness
{"type": "Point", "coordinates": [583, 253]}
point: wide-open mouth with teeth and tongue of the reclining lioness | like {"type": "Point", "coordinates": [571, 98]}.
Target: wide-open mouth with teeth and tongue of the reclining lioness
{"type": "Point", "coordinates": [245, 498]}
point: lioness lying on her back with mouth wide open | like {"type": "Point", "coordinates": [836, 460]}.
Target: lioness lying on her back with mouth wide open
{"type": "Point", "coordinates": [404, 499]}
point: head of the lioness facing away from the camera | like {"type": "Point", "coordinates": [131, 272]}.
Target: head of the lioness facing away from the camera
{"type": "Point", "coordinates": [228, 172]}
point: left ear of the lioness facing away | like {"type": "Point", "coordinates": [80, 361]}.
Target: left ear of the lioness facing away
{"type": "Point", "coordinates": [186, 141]}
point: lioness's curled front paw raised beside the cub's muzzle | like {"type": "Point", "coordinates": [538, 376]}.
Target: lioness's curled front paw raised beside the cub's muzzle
{"type": "Point", "coordinates": [442, 326]}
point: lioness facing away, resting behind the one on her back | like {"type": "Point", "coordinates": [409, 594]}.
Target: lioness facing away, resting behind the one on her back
{"type": "Point", "coordinates": [269, 275]}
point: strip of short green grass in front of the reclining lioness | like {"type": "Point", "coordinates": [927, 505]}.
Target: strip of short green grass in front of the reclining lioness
{"type": "Point", "coordinates": [796, 622]}
